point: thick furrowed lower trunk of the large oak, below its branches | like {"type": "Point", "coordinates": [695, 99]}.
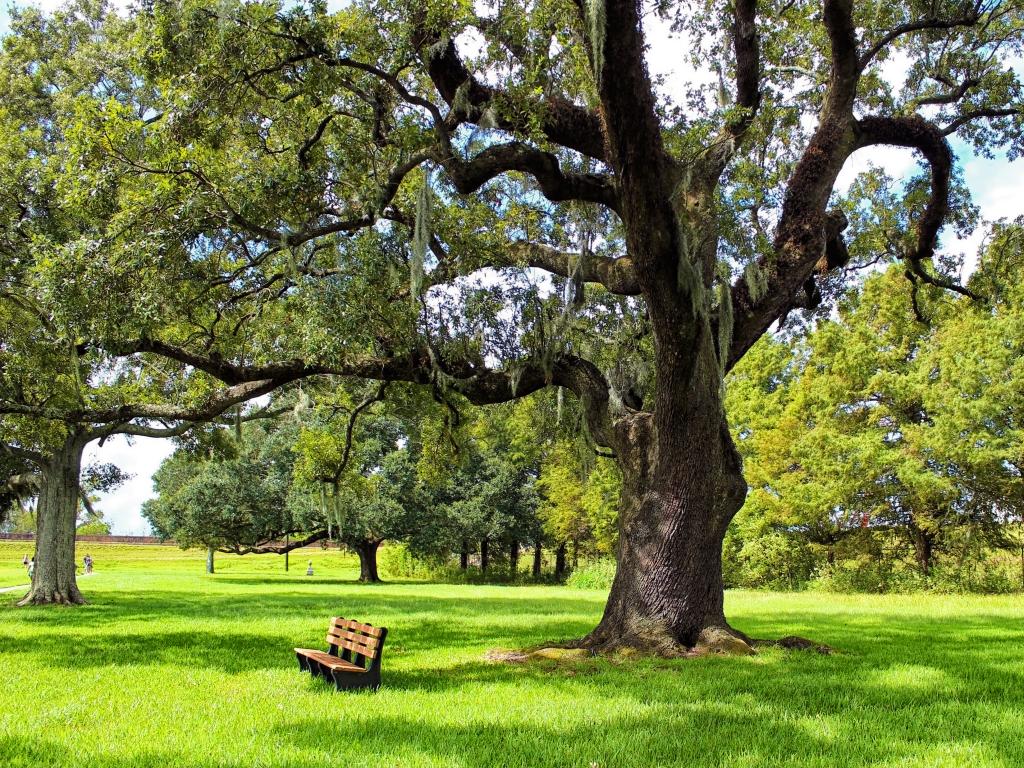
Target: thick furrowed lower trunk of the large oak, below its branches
{"type": "Point", "coordinates": [682, 486]}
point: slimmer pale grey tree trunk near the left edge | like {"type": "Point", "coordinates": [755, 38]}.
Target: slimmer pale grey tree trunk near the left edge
{"type": "Point", "coordinates": [57, 515]}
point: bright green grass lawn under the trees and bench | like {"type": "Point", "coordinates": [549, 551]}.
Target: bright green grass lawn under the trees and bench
{"type": "Point", "coordinates": [169, 667]}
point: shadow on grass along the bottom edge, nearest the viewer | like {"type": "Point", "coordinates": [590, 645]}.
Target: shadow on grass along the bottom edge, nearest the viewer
{"type": "Point", "coordinates": [714, 732]}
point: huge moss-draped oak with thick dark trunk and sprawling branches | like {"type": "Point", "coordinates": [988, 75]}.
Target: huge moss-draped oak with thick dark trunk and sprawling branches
{"type": "Point", "coordinates": [311, 160]}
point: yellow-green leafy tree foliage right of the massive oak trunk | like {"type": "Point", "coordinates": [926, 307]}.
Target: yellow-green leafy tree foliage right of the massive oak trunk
{"type": "Point", "coordinates": [897, 420]}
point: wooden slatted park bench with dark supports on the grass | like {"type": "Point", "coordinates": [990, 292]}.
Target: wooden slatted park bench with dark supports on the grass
{"type": "Point", "coordinates": [354, 656]}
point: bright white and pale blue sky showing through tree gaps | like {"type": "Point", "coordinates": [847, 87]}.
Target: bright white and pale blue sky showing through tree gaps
{"type": "Point", "coordinates": [996, 186]}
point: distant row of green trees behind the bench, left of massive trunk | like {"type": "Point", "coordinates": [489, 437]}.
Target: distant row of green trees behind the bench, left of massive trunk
{"type": "Point", "coordinates": [361, 470]}
